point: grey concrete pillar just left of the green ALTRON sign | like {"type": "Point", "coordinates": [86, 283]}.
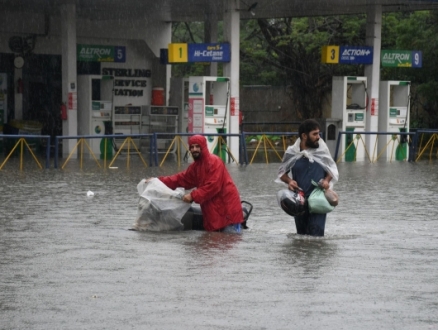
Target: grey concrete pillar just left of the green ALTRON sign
{"type": "Point", "coordinates": [69, 75]}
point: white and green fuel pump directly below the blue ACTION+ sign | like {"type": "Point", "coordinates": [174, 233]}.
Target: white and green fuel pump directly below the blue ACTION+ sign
{"type": "Point", "coordinates": [349, 103]}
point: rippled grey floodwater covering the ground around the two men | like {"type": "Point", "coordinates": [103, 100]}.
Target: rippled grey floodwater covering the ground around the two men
{"type": "Point", "coordinates": [68, 261]}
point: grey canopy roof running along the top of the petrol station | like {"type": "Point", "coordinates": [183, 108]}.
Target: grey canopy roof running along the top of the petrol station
{"type": "Point", "coordinates": [195, 10]}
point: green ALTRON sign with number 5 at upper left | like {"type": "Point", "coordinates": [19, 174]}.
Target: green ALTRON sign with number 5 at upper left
{"type": "Point", "coordinates": [97, 53]}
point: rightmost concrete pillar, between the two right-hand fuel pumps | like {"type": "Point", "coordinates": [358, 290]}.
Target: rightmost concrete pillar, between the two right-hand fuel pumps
{"type": "Point", "coordinates": [372, 72]}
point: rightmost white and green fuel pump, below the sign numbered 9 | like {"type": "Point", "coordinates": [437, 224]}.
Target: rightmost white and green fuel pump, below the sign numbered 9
{"type": "Point", "coordinates": [394, 117]}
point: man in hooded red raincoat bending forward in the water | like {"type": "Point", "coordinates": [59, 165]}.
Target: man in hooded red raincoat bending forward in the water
{"type": "Point", "coordinates": [215, 190]}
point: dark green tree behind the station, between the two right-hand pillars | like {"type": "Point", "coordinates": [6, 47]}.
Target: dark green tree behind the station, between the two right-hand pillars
{"type": "Point", "coordinates": [291, 48]}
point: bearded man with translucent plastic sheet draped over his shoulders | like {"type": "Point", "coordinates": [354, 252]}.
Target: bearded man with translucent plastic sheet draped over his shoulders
{"type": "Point", "coordinates": [308, 159]}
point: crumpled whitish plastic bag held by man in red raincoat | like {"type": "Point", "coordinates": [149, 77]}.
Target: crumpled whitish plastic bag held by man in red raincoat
{"type": "Point", "coordinates": [159, 207]}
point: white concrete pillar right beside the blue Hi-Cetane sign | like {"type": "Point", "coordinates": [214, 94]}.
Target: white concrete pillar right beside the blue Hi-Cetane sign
{"type": "Point", "coordinates": [232, 69]}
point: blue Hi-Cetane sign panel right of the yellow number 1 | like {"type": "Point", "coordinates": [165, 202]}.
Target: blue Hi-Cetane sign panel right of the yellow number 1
{"type": "Point", "coordinates": [209, 52]}
